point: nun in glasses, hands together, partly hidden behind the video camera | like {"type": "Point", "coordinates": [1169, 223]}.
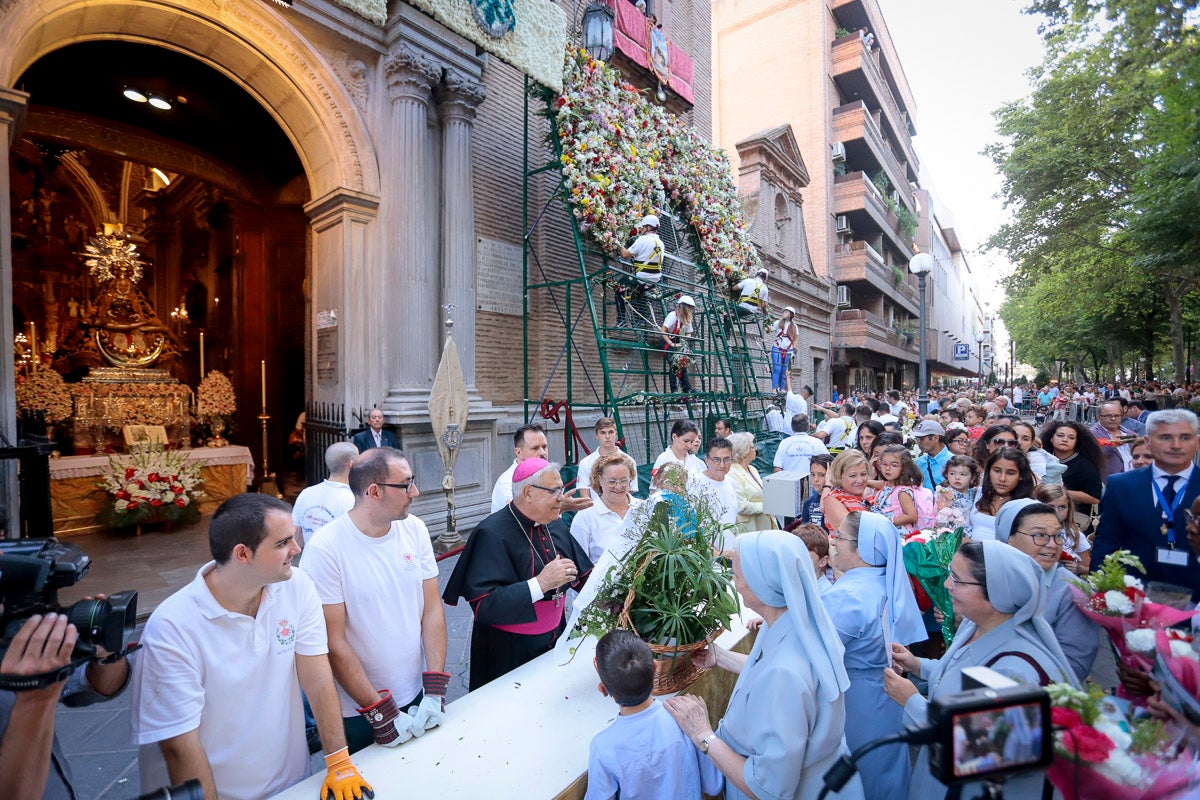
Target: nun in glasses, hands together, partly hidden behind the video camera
{"type": "Point", "coordinates": [999, 592]}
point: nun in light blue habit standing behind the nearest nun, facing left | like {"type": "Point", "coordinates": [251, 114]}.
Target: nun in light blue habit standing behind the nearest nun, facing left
{"type": "Point", "coordinates": [872, 606]}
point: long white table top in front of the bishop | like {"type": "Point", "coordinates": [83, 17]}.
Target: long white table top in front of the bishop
{"type": "Point", "coordinates": [523, 736]}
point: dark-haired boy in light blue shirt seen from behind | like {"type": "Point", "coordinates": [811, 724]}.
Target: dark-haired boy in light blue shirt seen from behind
{"type": "Point", "coordinates": [643, 755]}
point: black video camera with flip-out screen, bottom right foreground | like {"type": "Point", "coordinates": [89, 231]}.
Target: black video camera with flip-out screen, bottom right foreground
{"type": "Point", "coordinates": [994, 729]}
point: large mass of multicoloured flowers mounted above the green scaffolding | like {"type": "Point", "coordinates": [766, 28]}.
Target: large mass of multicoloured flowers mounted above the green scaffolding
{"type": "Point", "coordinates": [625, 158]}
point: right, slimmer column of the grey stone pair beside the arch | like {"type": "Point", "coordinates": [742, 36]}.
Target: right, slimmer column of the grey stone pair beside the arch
{"type": "Point", "coordinates": [458, 100]}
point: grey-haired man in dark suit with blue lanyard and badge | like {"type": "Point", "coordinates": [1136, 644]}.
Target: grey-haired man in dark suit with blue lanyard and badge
{"type": "Point", "coordinates": [1143, 512]}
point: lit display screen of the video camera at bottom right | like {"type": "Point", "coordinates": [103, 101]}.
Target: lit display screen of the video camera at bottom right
{"type": "Point", "coordinates": [998, 739]}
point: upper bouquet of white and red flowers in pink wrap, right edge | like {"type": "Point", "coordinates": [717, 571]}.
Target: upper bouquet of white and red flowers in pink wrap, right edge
{"type": "Point", "coordinates": [1117, 601]}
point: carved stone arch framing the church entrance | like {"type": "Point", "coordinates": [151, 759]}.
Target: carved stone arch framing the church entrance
{"type": "Point", "coordinates": [261, 51]}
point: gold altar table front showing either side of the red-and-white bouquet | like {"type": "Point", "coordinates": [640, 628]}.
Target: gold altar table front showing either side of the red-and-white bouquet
{"type": "Point", "coordinates": [76, 500]}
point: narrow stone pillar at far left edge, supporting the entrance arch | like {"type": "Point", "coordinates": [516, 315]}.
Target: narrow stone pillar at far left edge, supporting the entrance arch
{"type": "Point", "coordinates": [13, 117]}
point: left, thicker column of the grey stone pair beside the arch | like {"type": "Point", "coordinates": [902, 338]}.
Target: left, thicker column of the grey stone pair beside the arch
{"type": "Point", "coordinates": [406, 309]}
